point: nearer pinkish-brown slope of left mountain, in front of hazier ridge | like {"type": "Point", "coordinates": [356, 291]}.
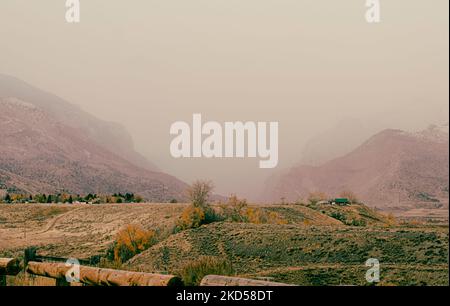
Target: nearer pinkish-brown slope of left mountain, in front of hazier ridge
{"type": "Point", "coordinates": [38, 153]}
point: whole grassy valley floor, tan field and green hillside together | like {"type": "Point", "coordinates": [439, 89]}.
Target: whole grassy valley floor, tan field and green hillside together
{"type": "Point", "coordinates": [311, 249]}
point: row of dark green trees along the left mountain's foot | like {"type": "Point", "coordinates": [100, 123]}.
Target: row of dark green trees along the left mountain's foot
{"type": "Point", "coordinates": [70, 198]}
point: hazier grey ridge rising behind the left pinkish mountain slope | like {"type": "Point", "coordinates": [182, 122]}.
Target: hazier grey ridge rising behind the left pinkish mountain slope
{"type": "Point", "coordinates": [111, 136]}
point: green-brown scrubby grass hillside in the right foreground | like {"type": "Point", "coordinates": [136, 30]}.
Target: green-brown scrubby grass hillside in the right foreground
{"type": "Point", "coordinates": [306, 255]}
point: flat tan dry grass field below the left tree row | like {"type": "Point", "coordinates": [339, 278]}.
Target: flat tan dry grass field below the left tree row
{"type": "Point", "coordinates": [78, 231]}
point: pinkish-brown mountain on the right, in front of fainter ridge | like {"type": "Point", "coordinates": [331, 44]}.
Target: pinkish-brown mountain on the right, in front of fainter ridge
{"type": "Point", "coordinates": [392, 169]}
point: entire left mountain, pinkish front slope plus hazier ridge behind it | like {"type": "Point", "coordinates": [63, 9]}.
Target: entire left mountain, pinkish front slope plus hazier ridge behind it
{"type": "Point", "coordinates": [49, 145]}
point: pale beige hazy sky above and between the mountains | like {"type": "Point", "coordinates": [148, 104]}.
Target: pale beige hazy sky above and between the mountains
{"type": "Point", "coordinates": [306, 63]}
